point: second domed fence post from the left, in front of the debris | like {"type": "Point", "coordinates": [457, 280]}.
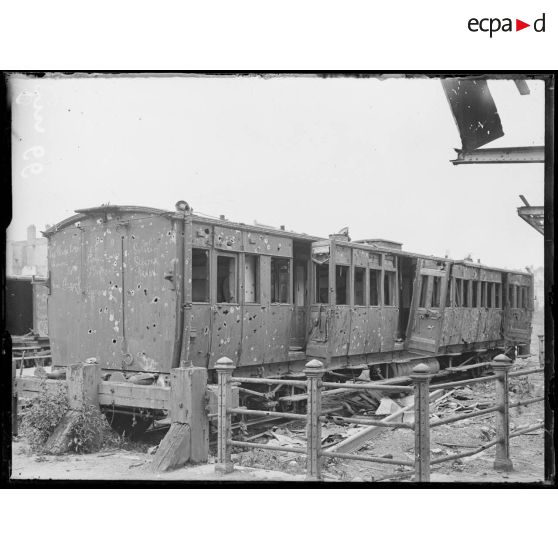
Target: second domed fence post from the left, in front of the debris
{"type": "Point", "coordinates": [314, 371]}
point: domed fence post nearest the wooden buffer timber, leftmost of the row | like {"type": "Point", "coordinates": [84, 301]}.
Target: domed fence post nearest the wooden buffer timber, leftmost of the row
{"type": "Point", "coordinates": [225, 368]}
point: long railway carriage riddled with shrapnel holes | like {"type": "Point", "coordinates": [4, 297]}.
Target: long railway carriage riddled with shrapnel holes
{"type": "Point", "coordinates": [144, 290]}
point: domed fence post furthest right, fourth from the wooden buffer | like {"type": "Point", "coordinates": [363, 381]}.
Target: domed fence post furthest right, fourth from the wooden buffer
{"type": "Point", "coordinates": [501, 367]}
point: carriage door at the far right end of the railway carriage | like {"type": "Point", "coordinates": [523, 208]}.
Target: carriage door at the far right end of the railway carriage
{"type": "Point", "coordinates": [518, 309]}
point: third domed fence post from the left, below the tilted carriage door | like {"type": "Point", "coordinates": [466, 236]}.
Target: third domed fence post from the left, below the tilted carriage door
{"type": "Point", "coordinates": [421, 382]}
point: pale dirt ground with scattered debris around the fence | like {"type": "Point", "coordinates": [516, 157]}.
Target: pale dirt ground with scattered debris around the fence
{"type": "Point", "coordinates": [527, 451]}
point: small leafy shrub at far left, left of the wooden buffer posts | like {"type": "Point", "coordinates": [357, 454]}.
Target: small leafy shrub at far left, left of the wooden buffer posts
{"type": "Point", "coordinates": [44, 414]}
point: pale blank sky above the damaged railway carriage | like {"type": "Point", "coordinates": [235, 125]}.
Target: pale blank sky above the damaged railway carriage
{"type": "Point", "coordinates": [312, 154]}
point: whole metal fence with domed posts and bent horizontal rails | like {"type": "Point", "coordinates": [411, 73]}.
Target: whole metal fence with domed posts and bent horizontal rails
{"type": "Point", "coordinates": [421, 380]}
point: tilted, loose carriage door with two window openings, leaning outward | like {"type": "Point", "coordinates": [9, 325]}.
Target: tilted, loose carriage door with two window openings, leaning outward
{"type": "Point", "coordinates": [427, 308]}
